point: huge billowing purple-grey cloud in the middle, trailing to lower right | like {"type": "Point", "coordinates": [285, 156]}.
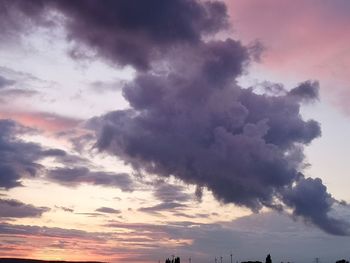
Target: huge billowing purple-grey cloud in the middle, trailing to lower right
{"type": "Point", "coordinates": [193, 121]}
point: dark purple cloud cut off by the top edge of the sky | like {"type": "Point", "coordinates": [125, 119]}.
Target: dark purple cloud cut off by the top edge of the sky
{"type": "Point", "coordinates": [128, 32]}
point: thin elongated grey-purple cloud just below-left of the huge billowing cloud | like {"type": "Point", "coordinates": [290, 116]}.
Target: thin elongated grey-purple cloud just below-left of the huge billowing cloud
{"type": "Point", "coordinates": [77, 175]}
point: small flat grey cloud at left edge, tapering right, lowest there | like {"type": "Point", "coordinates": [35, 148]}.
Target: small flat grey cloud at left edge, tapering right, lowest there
{"type": "Point", "coordinates": [15, 209]}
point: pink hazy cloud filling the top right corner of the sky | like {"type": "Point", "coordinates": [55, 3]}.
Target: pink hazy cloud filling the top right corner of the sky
{"type": "Point", "coordinates": [303, 39]}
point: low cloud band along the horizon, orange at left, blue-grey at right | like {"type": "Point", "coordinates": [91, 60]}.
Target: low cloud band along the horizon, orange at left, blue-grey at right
{"type": "Point", "coordinates": [278, 235]}
